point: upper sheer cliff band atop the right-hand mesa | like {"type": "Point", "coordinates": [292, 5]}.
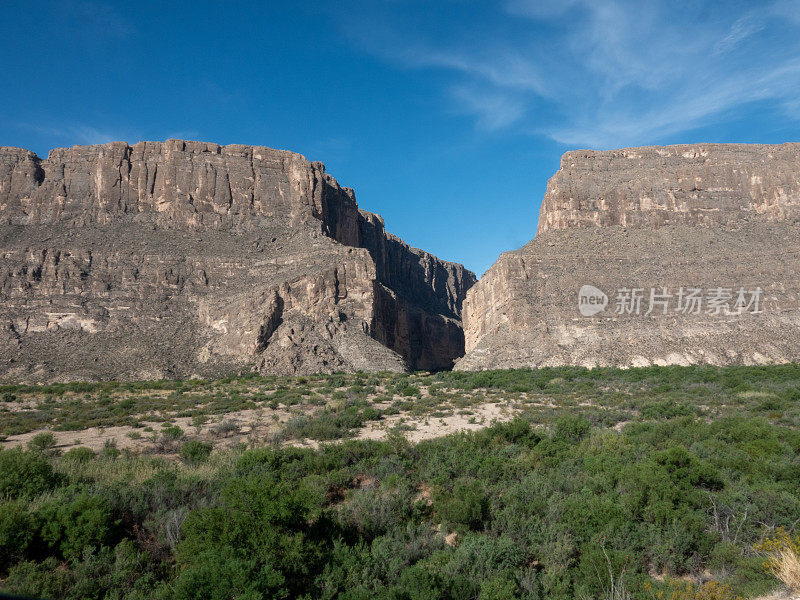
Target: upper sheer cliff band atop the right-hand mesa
{"type": "Point", "coordinates": [704, 184]}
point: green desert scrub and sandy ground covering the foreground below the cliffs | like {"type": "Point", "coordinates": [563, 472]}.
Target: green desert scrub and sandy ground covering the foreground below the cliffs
{"type": "Point", "coordinates": [673, 482]}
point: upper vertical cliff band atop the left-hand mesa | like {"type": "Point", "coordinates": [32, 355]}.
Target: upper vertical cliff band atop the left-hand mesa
{"type": "Point", "coordinates": [174, 185]}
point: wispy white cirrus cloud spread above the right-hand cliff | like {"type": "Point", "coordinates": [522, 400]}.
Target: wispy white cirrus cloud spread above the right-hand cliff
{"type": "Point", "coordinates": [610, 73]}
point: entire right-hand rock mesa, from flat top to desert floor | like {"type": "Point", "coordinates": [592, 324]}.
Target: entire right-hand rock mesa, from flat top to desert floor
{"type": "Point", "coordinates": [692, 253]}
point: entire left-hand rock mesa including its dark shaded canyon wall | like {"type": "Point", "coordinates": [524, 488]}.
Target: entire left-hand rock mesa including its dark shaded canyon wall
{"type": "Point", "coordinates": [180, 258]}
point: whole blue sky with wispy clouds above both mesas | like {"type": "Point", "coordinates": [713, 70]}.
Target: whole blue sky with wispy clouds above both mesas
{"type": "Point", "coordinates": [446, 117]}
